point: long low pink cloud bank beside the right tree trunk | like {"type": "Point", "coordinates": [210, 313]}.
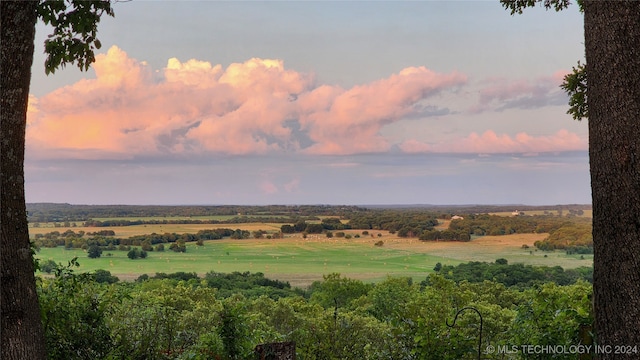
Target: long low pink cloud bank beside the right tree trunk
{"type": "Point", "coordinates": [490, 142]}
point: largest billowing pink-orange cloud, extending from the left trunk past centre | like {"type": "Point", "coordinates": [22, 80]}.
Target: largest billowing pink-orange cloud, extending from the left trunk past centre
{"type": "Point", "coordinates": [195, 107]}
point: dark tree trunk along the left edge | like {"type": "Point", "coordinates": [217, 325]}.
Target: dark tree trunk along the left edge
{"type": "Point", "coordinates": [22, 336]}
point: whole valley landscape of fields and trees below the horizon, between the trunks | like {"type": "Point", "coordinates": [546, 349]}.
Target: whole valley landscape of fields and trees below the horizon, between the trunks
{"type": "Point", "coordinates": [329, 282]}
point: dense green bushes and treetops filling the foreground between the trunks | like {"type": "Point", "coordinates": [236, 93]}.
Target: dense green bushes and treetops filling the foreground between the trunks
{"type": "Point", "coordinates": [224, 316]}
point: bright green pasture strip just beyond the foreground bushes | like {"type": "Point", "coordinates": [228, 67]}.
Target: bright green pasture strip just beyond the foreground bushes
{"type": "Point", "coordinates": [298, 263]}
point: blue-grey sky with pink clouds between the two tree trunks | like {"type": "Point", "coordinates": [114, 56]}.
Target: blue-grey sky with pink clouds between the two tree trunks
{"type": "Point", "coordinates": [305, 102]}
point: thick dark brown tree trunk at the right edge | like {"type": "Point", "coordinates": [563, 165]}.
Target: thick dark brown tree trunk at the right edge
{"type": "Point", "coordinates": [612, 42]}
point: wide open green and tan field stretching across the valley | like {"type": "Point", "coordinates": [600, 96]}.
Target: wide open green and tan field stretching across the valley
{"type": "Point", "coordinates": [301, 261]}
